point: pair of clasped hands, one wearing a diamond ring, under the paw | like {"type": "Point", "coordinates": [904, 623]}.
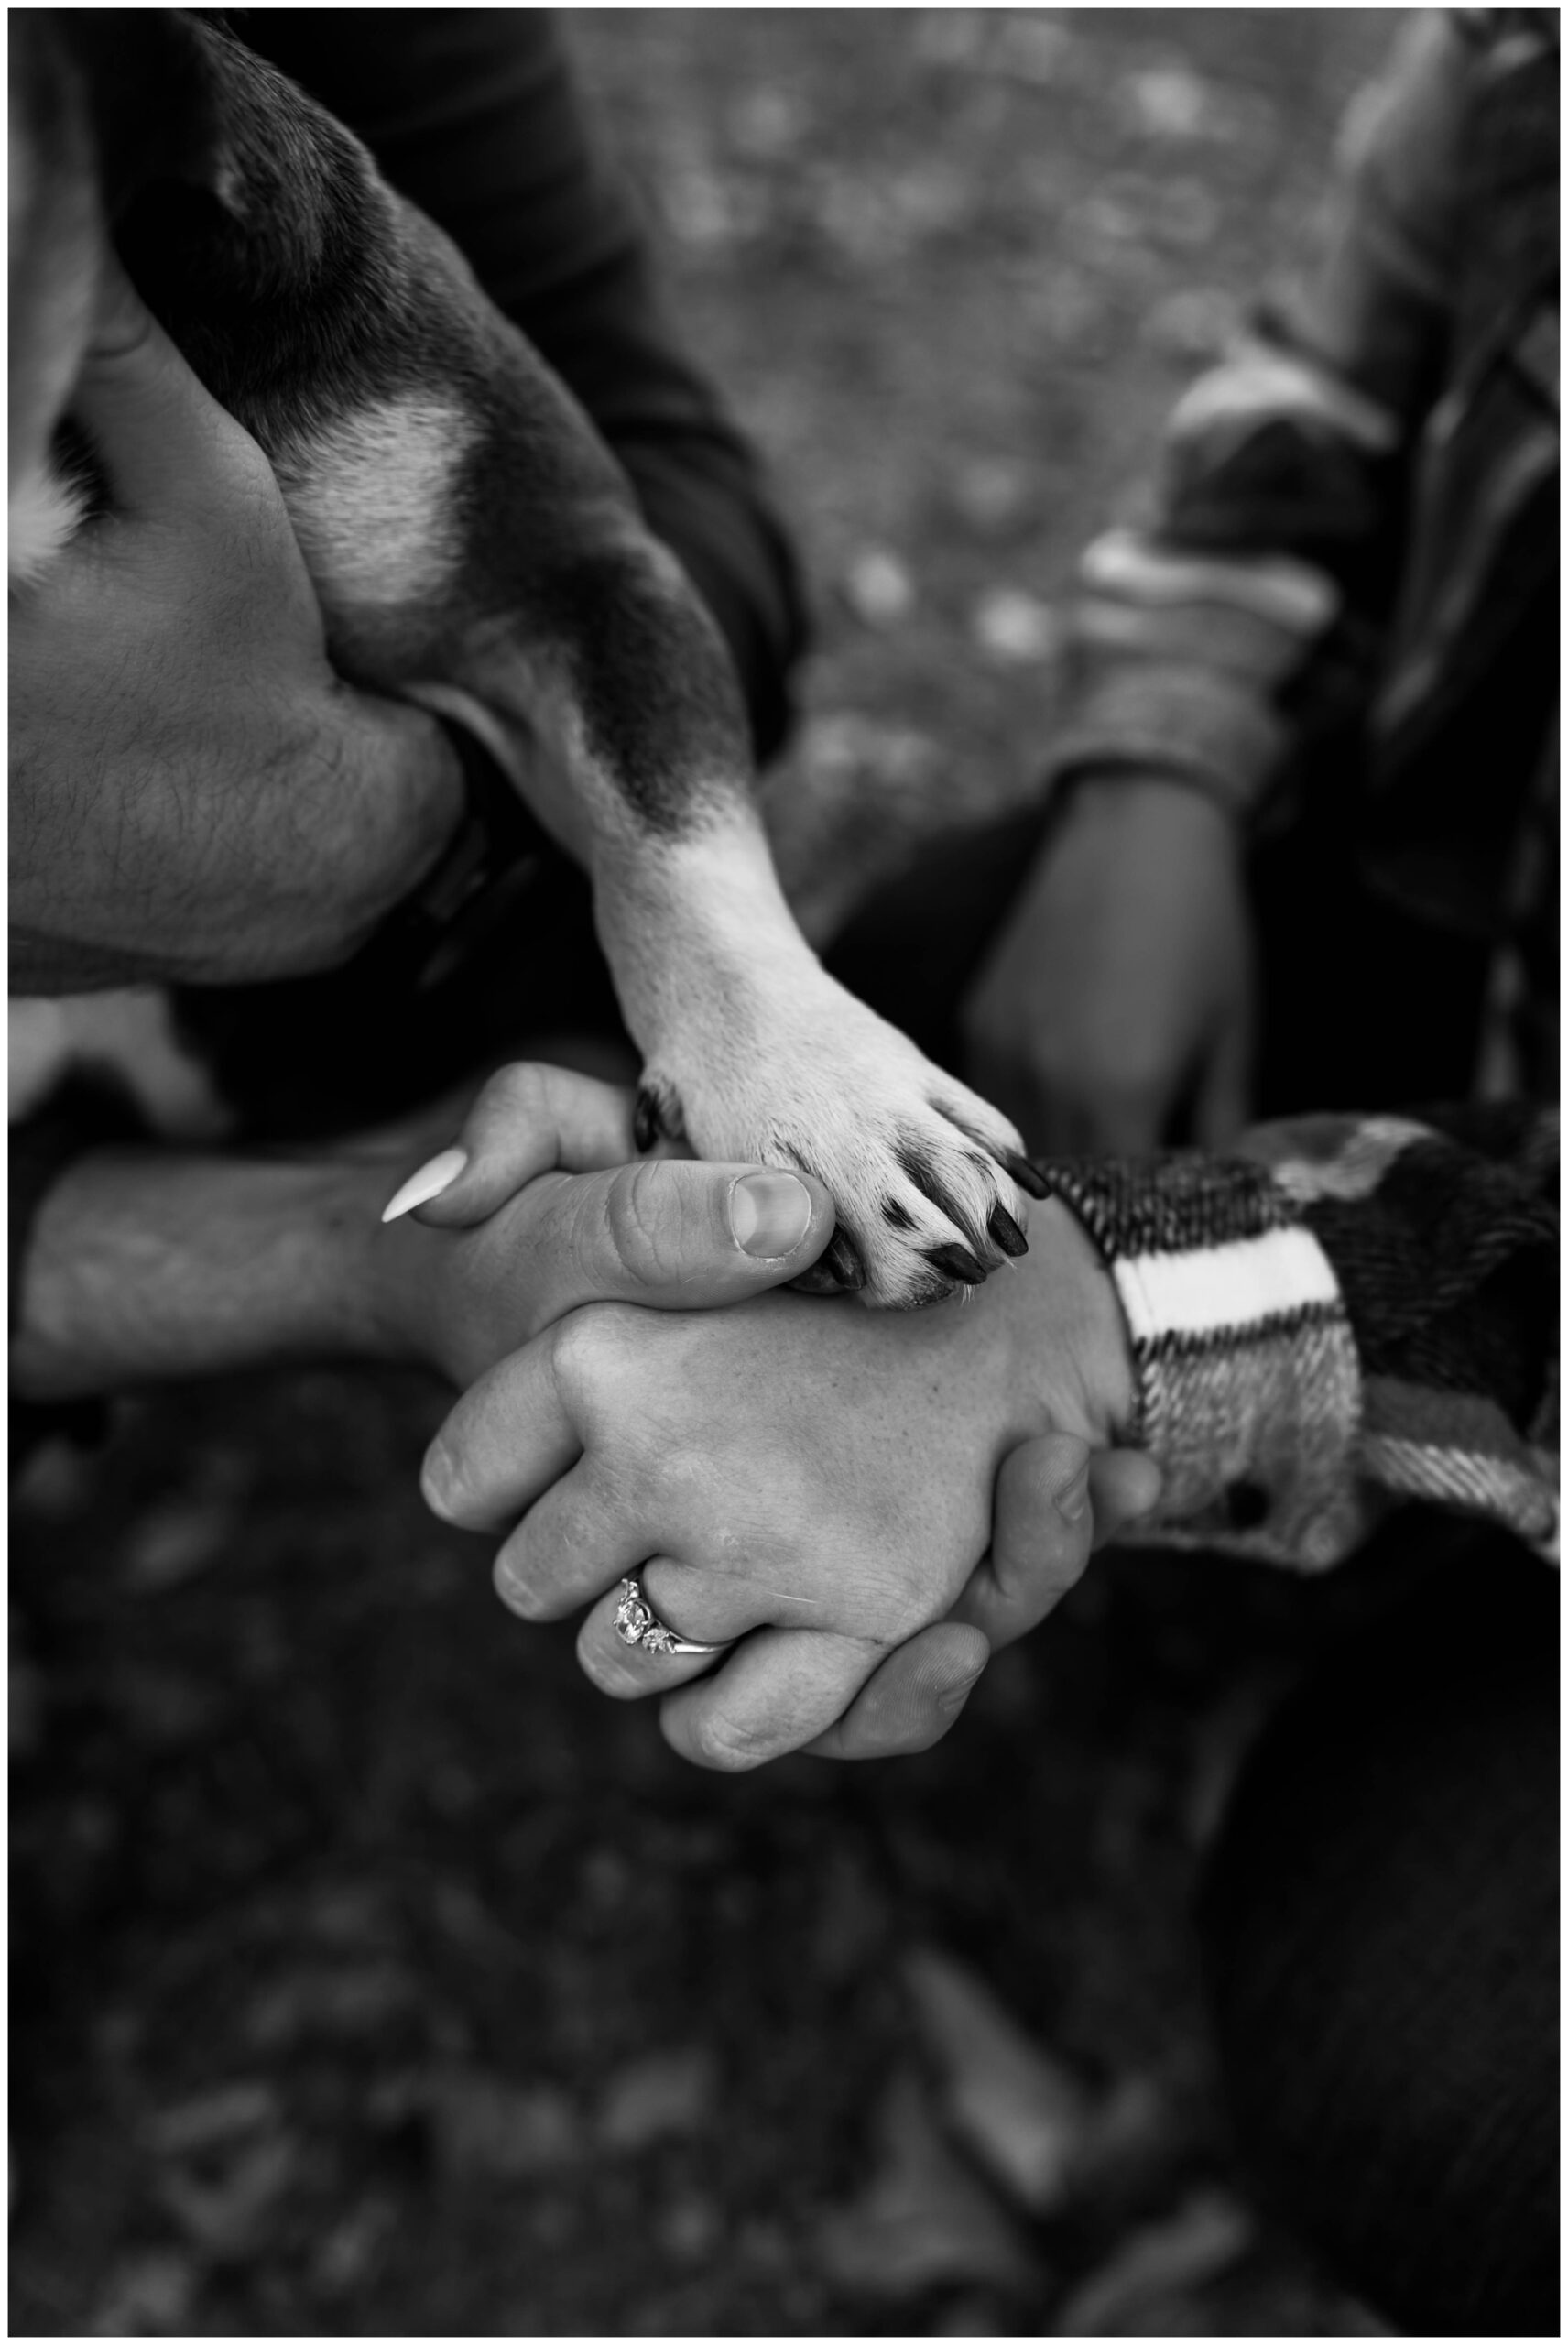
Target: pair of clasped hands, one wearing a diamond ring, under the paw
{"type": "Point", "coordinates": [861, 1502]}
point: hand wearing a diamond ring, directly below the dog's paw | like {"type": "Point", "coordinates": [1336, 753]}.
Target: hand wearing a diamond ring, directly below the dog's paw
{"type": "Point", "coordinates": [805, 1474]}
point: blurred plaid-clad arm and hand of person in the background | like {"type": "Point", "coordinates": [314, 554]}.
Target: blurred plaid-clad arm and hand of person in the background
{"type": "Point", "coordinates": [1349, 543]}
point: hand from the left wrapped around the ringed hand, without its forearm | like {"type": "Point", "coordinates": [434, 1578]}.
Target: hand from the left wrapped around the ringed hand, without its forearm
{"type": "Point", "coordinates": [545, 1214]}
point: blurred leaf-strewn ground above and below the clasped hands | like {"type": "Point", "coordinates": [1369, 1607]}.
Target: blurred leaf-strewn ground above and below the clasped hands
{"type": "Point", "coordinates": [374, 1976]}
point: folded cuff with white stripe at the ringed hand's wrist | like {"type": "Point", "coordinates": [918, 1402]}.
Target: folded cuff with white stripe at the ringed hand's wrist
{"type": "Point", "coordinates": [1246, 1368]}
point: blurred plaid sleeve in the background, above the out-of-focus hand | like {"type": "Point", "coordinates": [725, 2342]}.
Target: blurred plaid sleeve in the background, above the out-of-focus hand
{"type": "Point", "coordinates": [1248, 606]}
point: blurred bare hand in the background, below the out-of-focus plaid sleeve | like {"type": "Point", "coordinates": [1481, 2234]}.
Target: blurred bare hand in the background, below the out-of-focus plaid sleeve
{"type": "Point", "coordinates": [1122, 991]}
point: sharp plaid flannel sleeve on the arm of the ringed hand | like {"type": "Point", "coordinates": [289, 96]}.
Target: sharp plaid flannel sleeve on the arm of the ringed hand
{"type": "Point", "coordinates": [1351, 1314]}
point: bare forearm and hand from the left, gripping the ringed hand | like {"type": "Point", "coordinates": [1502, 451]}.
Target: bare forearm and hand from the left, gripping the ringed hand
{"type": "Point", "coordinates": [151, 1265]}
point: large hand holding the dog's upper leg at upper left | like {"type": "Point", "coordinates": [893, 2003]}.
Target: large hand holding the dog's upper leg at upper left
{"type": "Point", "coordinates": [196, 796]}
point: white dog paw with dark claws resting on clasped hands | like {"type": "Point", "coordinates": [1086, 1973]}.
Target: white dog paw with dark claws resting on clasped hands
{"type": "Point", "coordinates": [929, 1183]}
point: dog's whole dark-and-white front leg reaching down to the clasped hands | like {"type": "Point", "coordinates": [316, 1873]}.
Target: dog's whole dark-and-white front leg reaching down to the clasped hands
{"type": "Point", "coordinates": [479, 550]}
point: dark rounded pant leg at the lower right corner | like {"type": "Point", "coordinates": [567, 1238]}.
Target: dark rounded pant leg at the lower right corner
{"type": "Point", "coordinates": [1379, 1931]}
